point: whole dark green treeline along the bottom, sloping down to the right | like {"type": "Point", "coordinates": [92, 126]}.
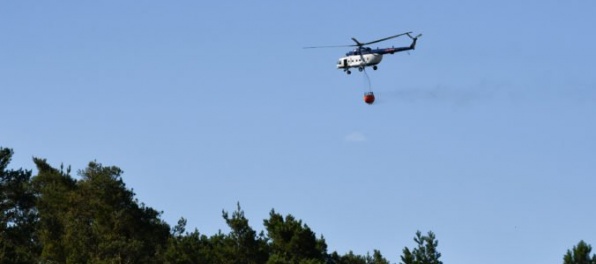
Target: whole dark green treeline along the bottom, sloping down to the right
{"type": "Point", "coordinates": [52, 217]}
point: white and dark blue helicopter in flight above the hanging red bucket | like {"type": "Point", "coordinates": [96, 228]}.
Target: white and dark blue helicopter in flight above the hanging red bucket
{"type": "Point", "coordinates": [362, 56]}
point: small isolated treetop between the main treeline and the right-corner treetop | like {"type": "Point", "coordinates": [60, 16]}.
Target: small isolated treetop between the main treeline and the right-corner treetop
{"type": "Point", "coordinates": [425, 252]}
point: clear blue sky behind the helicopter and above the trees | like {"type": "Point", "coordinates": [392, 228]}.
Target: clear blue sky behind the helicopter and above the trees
{"type": "Point", "coordinates": [484, 134]}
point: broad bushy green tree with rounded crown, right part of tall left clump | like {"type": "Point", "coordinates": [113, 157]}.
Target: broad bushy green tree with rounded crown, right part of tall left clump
{"type": "Point", "coordinates": [109, 224]}
